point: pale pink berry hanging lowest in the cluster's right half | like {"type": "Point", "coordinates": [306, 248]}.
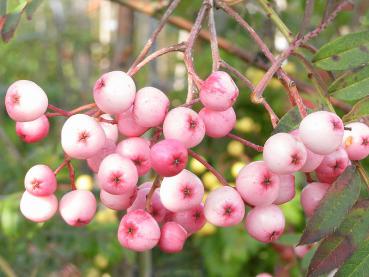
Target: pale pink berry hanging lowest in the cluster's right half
{"type": "Point", "coordinates": [265, 224]}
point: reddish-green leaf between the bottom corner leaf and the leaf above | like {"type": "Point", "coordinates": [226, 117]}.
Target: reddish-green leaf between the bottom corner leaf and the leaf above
{"type": "Point", "coordinates": [335, 249]}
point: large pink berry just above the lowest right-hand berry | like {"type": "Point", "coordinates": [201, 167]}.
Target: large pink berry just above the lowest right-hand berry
{"type": "Point", "coordinates": [257, 185]}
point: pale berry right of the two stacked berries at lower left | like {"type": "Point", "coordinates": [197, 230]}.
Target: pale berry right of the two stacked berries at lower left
{"type": "Point", "coordinates": [78, 207]}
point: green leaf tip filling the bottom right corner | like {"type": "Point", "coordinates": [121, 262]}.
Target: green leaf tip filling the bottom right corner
{"type": "Point", "coordinates": [358, 264]}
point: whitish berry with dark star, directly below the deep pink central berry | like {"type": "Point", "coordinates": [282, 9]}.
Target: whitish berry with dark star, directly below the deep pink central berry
{"type": "Point", "coordinates": [181, 192]}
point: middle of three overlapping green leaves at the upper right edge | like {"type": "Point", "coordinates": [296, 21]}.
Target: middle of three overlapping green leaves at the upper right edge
{"type": "Point", "coordinates": [352, 86]}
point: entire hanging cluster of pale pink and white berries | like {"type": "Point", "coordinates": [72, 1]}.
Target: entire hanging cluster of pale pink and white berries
{"type": "Point", "coordinates": [168, 210]}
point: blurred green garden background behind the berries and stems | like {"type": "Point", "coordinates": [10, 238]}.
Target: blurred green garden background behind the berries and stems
{"type": "Point", "coordinates": [64, 49]}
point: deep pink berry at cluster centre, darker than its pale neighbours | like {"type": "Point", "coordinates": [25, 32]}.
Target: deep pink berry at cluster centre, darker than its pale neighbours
{"type": "Point", "coordinates": [168, 157]}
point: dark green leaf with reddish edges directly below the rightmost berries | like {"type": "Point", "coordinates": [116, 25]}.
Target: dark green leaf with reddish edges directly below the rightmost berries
{"type": "Point", "coordinates": [333, 208]}
